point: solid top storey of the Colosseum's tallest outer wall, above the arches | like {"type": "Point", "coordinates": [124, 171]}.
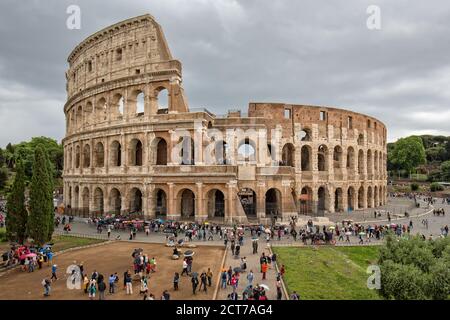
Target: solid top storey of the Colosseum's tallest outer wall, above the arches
{"type": "Point", "coordinates": [128, 48]}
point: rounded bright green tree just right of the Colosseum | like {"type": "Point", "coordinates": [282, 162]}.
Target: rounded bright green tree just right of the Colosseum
{"type": "Point", "coordinates": [408, 153]}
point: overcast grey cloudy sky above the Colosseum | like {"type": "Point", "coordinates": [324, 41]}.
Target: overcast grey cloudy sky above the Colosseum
{"type": "Point", "coordinates": [316, 52]}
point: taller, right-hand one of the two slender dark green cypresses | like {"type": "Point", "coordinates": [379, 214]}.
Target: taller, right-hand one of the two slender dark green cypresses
{"type": "Point", "coordinates": [39, 199]}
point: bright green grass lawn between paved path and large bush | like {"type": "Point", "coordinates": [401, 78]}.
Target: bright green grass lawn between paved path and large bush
{"type": "Point", "coordinates": [330, 273]}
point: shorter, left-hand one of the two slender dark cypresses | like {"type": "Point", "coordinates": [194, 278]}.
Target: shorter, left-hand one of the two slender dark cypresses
{"type": "Point", "coordinates": [17, 215]}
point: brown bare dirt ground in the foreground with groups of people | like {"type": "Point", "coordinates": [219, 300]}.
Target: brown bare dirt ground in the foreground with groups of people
{"type": "Point", "coordinates": [110, 258]}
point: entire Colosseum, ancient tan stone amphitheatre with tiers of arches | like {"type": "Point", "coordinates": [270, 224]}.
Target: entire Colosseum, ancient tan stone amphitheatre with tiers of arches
{"type": "Point", "coordinates": [133, 145]}
